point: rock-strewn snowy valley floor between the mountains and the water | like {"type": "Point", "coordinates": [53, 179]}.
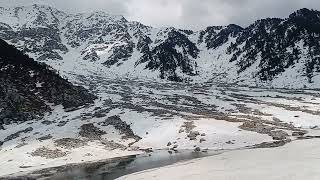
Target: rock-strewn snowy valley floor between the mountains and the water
{"type": "Point", "coordinates": [114, 121]}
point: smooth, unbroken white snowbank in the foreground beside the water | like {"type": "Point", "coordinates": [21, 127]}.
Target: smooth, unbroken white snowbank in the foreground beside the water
{"type": "Point", "coordinates": [294, 161]}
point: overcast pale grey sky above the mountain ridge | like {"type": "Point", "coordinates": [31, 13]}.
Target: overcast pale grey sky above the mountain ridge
{"type": "Point", "coordinates": [189, 14]}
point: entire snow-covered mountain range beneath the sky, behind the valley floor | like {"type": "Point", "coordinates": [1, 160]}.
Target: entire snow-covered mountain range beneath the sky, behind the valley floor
{"type": "Point", "coordinates": [270, 52]}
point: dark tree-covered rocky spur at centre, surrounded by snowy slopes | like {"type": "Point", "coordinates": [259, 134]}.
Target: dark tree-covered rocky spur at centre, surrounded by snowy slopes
{"type": "Point", "coordinates": [177, 51]}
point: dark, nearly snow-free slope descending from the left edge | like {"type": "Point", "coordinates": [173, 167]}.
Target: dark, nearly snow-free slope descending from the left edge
{"type": "Point", "coordinates": [28, 87]}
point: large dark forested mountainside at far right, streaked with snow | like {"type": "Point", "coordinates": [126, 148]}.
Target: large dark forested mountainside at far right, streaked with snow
{"type": "Point", "coordinates": [276, 45]}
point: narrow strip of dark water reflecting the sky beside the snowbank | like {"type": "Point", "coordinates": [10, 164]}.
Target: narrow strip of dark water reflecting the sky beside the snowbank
{"type": "Point", "coordinates": [113, 169]}
